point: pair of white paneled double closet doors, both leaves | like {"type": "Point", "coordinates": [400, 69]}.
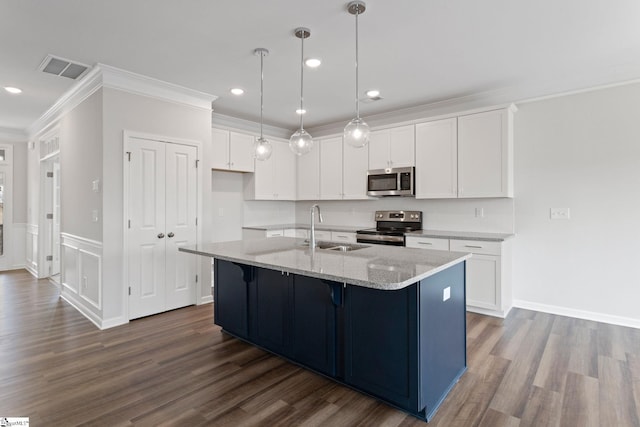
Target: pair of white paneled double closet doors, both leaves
{"type": "Point", "coordinates": [162, 215]}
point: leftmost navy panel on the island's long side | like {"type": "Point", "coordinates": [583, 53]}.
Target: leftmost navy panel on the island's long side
{"type": "Point", "coordinates": [231, 297]}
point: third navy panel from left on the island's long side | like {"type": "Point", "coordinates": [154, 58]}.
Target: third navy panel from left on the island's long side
{"type": "Point", "coordinates": [313, 322]}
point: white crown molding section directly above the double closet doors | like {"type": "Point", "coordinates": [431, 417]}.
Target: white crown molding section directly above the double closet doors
{"type": "Point", "coordinates": [116, 78]}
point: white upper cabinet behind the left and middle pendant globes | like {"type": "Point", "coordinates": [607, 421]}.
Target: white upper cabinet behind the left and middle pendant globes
{"type": "Point", "coordinates": [274, 178]}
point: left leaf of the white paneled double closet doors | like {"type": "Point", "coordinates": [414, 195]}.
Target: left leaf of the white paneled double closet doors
{"type": "Point", "coordinates": [146, 228]}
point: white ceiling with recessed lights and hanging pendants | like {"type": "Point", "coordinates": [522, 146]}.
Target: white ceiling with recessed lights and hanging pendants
{"type": "Point", "coordinates": [414, 51]}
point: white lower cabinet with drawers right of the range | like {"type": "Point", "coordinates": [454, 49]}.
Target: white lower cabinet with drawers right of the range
{"type": "Point", "coordinates": [488, 275]}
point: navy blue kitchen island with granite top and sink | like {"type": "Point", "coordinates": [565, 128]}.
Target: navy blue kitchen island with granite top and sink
{"type": "Point", "coordinates": [387, 321]}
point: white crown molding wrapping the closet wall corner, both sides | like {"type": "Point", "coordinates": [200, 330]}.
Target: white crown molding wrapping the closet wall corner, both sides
{"type": "Point", "coordinates": [102, 75]}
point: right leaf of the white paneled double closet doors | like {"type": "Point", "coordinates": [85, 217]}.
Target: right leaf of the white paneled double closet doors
{"type": "Point", "coordinates": [181, 213]}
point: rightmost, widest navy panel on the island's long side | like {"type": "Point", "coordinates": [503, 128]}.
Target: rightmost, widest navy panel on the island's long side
{"type": "Point", "coordinates": [381, 343]}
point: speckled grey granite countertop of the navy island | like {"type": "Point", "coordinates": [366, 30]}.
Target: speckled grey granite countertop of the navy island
{"type": "Point", "coordinates": [374, 266]}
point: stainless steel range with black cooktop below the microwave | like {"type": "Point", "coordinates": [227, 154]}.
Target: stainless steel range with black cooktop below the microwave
{"type": "Point", "coordinates": [390, 227]}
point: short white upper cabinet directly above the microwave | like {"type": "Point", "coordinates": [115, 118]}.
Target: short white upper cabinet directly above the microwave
{"type": "Point", "coordinates": [392, 148]}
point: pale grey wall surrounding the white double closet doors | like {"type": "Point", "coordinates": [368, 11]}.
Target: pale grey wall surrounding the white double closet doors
{"type": "Point", "coordinates": [137, 113]}
